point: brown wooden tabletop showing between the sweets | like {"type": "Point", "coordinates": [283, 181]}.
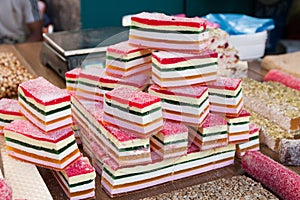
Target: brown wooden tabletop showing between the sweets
{"type": "Point", "coordinates": [30, 52]}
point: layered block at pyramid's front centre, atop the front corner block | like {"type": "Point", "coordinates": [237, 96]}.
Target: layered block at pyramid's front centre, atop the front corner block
{"type": "Point", "coordinates": [137, 112]}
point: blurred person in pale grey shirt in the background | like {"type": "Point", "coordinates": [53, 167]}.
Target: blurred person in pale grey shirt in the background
{"type": "Point", "coordinates": [20, 21]}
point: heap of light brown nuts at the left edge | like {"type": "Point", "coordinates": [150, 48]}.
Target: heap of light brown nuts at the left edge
{"type": "Point", "coordinates": [12, 73]}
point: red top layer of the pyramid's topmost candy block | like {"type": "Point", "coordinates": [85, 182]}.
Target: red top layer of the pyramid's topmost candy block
{"type": "Point", "coordinates": [159, 19]}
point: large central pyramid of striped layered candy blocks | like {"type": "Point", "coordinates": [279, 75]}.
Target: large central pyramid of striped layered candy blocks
{"type": "Point", "coordinates": [185, 122]}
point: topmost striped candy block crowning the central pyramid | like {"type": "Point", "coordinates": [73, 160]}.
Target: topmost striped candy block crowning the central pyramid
{"type": "Point", "coordinates": [162, 32]}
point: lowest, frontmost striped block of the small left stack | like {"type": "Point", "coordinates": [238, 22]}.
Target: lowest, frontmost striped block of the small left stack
{"type": "Point", "coordinates": [78, 179]}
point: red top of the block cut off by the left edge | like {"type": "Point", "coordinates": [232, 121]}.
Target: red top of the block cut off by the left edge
{"type": "Point", "coordinates": [10, 107]}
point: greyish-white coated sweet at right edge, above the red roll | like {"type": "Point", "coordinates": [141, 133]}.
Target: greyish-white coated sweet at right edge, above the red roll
{"type": "Point", "coordinates": [289, 152]}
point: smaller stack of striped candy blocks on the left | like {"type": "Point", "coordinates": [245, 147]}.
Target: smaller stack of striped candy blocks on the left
{"type": "Point", "coordinates": [37, 129]}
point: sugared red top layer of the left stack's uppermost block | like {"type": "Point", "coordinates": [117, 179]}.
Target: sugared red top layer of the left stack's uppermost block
{"type": "Point", "coordinates": [44, 92]}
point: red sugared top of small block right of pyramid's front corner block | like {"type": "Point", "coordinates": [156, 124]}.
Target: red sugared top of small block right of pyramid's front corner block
{"type": "Point", "coordinates": [173, 128]}
